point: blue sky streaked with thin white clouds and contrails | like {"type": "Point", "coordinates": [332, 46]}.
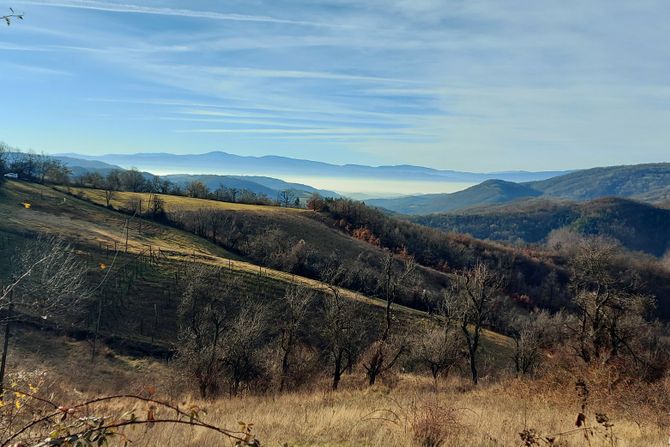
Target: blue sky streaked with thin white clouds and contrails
{"type": "Point", "coordinates": [477, 85]}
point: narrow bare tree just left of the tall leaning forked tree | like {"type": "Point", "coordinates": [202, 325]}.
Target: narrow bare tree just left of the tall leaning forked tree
{"type": "Point", "coordinates": [296, 302]}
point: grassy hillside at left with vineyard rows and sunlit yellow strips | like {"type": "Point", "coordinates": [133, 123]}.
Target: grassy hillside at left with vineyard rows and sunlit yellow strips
{"type": "Point", "coordinates": [140, 295]}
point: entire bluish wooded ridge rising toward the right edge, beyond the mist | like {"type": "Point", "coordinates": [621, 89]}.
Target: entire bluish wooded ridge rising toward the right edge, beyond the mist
{"type": "Point", "coordinates": [646, 182]}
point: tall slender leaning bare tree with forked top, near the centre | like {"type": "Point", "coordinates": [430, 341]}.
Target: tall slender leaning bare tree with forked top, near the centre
{"type": "Point", "coordinates": [386, 351]}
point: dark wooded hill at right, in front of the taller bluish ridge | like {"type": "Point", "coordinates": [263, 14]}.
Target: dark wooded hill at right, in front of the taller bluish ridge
{"type": "Point", "coordinates": [637, 226]}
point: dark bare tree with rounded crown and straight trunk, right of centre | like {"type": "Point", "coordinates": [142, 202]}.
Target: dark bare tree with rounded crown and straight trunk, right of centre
{"type": "Point", "coordinates": [468, 303]}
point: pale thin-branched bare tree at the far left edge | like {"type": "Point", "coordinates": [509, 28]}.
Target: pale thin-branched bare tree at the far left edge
{"type": "Point", "coordinates": [47, 280]}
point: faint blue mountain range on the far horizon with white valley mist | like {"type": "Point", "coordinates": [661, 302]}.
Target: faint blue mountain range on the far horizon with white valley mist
{"type": "Point", "coordinates": [229, 164]}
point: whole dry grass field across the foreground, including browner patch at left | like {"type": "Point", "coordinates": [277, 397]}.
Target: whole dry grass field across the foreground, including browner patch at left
{"type": "Point", "coordinates": [405, 410]}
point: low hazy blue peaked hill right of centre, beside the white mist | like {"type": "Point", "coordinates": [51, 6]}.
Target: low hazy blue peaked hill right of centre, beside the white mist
{"type": "Point", "coordinates": [489, 192]}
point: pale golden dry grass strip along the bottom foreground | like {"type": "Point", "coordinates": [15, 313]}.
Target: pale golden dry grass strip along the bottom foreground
{"type": "Point", "coordinates": [411, 414]}
